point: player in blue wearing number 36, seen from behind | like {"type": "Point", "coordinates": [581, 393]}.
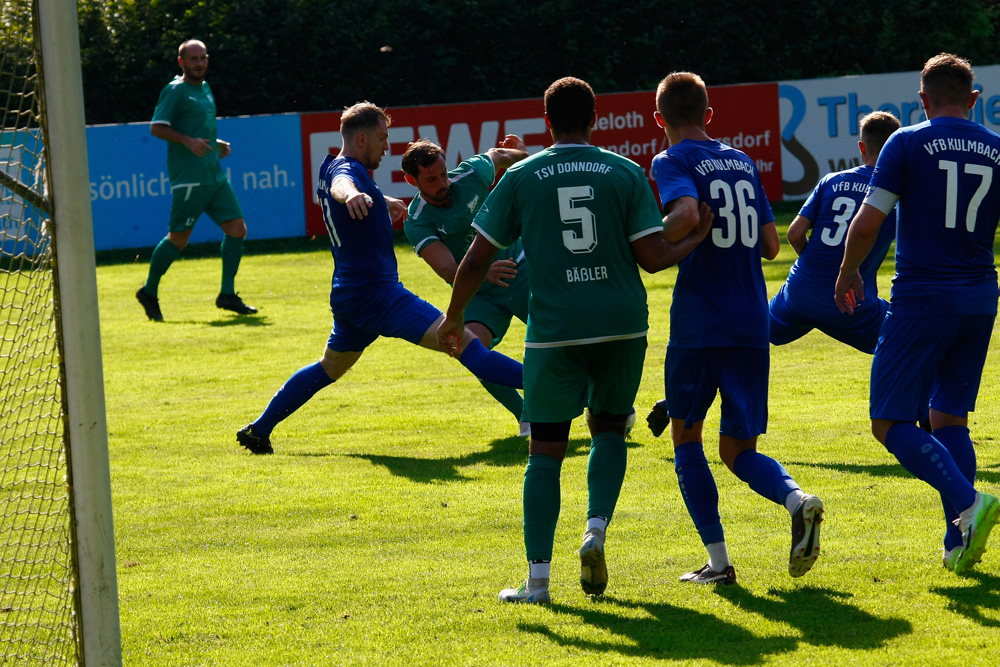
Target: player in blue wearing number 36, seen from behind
{"type": "Point", "coordinates": [719, 326]}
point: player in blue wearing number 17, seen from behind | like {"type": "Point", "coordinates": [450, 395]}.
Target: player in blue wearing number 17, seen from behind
{"type": "Point", "coordinates": [943, 175]}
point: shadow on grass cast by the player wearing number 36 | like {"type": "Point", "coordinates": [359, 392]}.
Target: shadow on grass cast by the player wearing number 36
{"type": "Point", "coordinates": [822, 615]}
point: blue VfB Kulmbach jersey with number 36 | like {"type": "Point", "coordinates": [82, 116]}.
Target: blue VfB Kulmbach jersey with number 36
{"type": "Point", "coordinates": [720, 299]}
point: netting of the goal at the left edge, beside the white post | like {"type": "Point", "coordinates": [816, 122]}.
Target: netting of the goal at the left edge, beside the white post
{"type": "Point", "coordinates": [36, 563]}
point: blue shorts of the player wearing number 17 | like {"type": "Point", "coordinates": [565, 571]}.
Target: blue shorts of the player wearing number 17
{"type": "Point", "coordinates": [939, 357]}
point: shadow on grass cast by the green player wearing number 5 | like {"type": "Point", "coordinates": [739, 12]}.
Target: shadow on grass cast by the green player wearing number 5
{"type": "Point", "coordinates": [666, 632]}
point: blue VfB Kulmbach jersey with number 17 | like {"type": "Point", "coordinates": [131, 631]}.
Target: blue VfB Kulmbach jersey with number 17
{"type": "Point", "coordinates": [946, 172]}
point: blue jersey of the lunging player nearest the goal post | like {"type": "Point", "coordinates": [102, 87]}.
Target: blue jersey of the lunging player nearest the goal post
{"type": "Point", "coordinates": [364, 258]}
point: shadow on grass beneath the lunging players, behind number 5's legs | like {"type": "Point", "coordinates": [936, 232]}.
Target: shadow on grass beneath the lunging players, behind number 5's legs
{"type": "Point", "coordinates": [503, 452]}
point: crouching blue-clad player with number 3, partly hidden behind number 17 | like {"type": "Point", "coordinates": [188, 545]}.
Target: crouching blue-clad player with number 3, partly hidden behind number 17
{"type": "Point", "coordinates": [803, 302]}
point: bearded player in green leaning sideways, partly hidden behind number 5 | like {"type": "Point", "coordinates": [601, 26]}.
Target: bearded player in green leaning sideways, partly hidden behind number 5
{"type": "Point", "coordinates": [439, 226]}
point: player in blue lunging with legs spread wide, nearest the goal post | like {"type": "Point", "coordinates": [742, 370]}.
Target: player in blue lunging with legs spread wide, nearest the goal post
{"type": "Point", "coordinates": [366, 296]}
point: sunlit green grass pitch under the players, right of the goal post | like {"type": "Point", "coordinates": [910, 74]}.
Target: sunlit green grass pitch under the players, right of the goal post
{"type": "Point", "coordinates": [381, 530]}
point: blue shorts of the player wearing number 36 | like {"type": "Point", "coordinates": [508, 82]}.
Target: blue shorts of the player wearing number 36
{"type": "Point", "coordinates": [694, 376]}
